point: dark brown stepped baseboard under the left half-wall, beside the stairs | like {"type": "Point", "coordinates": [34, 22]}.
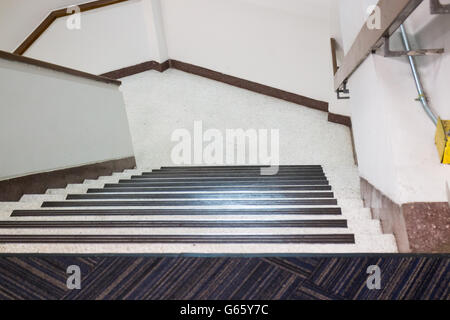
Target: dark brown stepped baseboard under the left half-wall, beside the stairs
{"type": "Point", "coordinates": [13, 189]}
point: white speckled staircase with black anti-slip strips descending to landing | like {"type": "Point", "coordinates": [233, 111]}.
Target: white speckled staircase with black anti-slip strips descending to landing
{"type": "Point", "coordinates": [208, 210]}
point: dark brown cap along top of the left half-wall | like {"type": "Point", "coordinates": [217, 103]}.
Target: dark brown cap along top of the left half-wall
{"type": "Point", "coordinates": [17, 58]}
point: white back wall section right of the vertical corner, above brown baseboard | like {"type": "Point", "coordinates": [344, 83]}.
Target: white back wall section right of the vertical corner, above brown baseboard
{"type": "Point", "coordinates": [283, 44]}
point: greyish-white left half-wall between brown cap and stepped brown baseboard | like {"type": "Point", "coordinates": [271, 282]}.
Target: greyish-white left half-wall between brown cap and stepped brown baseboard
{"type": "Point", "coordinates": [50, 120]}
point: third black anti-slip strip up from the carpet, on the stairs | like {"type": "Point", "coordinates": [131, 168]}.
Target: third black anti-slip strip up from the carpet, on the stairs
{"type": "Point", "coordinates": [175, 212]}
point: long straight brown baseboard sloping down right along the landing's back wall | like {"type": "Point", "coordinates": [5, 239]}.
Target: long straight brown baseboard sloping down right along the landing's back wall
{"type": "Point", "coordinates": [250, 85]}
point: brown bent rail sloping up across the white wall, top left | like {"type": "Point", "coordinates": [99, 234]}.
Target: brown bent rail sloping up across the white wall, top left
{"type": "Point", "coordinates": [58, 14]}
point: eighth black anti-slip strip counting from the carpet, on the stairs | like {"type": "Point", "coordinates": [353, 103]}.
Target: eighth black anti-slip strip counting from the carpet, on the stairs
{"type": "Point", "coordinates": [237, 179]}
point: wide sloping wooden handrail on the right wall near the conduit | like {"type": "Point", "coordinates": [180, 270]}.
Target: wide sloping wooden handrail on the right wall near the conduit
{"type": "Point", "coordinates": [393, 14]}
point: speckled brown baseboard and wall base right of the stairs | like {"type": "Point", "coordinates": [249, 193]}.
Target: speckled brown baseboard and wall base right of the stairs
{"type": "Point", "coordinates": [417, 227]}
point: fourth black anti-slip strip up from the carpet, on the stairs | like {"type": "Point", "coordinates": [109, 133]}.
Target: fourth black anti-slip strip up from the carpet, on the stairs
{"type": "Point", "coordinates": [174, 203]}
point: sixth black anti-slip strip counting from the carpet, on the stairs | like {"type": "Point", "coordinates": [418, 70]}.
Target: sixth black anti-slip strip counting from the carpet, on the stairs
{"type": "Point", "coordinates": [210, 189]}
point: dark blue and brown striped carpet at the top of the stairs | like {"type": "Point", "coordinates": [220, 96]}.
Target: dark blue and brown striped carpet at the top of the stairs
{"type": "Point", "coordinates": [237, 278]}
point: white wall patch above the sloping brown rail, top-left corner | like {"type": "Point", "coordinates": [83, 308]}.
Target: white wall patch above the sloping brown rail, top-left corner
{"type": "Point", "coordinates": [18, 18]}
